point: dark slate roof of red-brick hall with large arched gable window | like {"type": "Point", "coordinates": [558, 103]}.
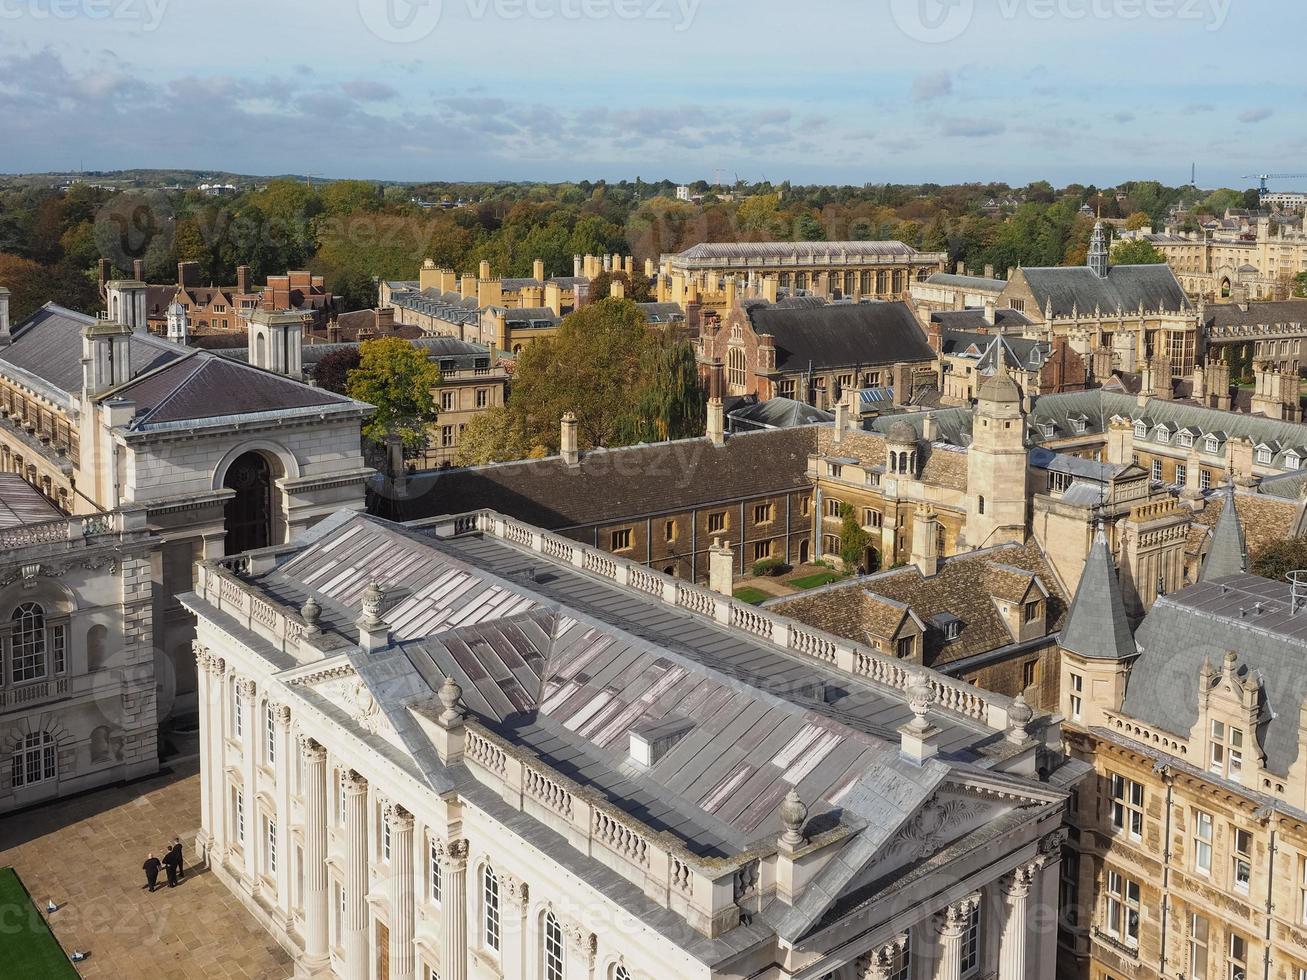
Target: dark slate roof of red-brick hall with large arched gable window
{"type": "Point", "coordinates": [842, 335]}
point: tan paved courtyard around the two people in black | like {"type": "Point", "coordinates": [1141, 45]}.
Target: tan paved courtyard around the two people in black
{"type": "Point", "coordinates": [87, 855]}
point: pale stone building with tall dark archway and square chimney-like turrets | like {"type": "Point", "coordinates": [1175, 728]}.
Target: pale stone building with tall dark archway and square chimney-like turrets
{"type": "Point", "coordinates": [220, 457]}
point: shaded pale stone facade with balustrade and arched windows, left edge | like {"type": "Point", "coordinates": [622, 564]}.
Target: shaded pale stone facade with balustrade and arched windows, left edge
{"type": "Point", "coordinates": [80, 685]}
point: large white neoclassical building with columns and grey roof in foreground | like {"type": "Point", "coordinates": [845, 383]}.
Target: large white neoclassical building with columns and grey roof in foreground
{"type": "Point", "coordinates": [448, 751]}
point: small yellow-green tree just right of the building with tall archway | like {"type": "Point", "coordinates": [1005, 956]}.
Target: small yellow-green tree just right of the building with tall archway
{"type": "Point", "coordinates": [399, 381]}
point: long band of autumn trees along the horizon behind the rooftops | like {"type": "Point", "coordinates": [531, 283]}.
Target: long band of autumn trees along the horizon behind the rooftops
{"type": "Point", "coordinates": [356, 233]}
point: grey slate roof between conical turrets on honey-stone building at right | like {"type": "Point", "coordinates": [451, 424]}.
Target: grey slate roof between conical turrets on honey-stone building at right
{"type": "Point", "coordinates": [1202, 624]}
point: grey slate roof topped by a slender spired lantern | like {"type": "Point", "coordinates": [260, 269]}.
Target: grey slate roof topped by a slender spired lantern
{"type": "Point", "coordinates": [1126, 288]}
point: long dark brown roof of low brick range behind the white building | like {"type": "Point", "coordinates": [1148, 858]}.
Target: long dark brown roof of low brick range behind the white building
{"type": "Point", "coordinates": [615, 485]}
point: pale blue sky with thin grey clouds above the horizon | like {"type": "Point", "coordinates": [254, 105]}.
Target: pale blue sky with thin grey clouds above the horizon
{"type": "Point", "coordinates": [807, 91]}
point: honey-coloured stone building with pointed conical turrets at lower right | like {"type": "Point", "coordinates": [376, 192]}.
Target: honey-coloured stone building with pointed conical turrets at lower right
{"type": "Point", "coordinates": [1189, 849]}
